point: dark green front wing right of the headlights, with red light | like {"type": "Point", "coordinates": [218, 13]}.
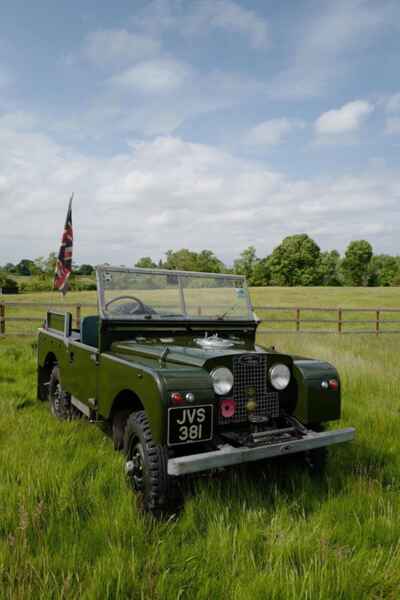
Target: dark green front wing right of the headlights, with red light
{"type": "Point", "coordinates": [316, 404]}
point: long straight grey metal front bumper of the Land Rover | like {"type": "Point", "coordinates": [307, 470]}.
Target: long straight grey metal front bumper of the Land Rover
{"type": "Point", "coordinates": [229, 455]}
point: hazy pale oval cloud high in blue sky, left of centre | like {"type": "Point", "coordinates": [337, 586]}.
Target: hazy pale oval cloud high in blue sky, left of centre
{"type": "Point", "coordinates": [153, 76]}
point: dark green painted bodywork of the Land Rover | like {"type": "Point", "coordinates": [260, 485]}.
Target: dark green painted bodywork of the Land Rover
{"type": "Point", "coordinates": [145, 361]}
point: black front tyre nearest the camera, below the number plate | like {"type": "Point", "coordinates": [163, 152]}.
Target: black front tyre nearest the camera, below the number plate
{"type": "Point", "coordinates": [147, 468]}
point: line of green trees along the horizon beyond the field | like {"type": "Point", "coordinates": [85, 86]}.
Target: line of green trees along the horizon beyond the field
{"type": "Point", "coordinates": [296, 261]}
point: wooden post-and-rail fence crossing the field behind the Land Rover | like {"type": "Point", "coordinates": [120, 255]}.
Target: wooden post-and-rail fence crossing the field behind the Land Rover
{"type": "Point", "coordinates": [296, 319]}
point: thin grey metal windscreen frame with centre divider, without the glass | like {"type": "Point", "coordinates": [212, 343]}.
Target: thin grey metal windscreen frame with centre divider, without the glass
{"type": "Point", "coordinates": [180, 276]}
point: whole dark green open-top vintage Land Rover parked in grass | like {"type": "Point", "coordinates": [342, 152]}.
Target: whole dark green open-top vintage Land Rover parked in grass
{"type": "Point", "coordinates": [171, 364]}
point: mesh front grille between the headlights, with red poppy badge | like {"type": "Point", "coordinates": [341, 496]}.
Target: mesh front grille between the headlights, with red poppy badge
{"type": "Point", "coordinates": [251, 383]}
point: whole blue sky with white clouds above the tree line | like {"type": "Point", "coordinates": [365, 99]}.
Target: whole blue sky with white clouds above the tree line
{"type": "Point", "coordinates": [213, 124]}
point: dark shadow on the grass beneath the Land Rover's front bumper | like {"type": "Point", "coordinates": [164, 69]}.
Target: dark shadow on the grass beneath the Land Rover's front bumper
{"type": "Point", "coordinates": [289, 479]}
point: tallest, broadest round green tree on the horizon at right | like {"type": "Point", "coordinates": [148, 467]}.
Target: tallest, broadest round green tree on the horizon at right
{"type": "Point", "coordinates": [296, 261]}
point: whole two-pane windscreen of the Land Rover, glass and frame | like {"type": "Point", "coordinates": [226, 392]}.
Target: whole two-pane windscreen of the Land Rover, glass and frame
{"type": "Point", "coordinates": [159, 294]}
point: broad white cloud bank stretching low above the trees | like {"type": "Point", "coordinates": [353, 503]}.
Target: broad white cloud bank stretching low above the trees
{"type": "Point", "coordinates": [133, 204]}
